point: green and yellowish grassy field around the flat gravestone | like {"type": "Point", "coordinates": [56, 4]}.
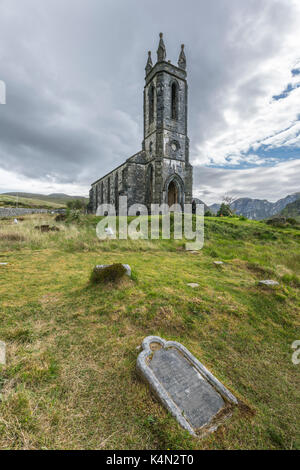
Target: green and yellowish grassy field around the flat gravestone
{"type": "Point", "coordinates": [70, 380]}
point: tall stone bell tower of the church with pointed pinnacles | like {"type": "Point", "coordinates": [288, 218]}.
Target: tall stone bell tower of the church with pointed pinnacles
{"type": "Point", "coordinates": [169, 174]}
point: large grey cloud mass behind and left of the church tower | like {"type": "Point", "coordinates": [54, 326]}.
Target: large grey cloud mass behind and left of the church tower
{"type": "Point", "coordinates": [74, 72]}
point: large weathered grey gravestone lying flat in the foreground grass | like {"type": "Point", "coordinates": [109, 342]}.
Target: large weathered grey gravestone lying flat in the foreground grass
{"type": "Point", "coordinates": [186, 388]}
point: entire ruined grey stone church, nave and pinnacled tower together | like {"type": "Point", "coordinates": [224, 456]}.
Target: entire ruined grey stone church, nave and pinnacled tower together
{"type": "Point", "coordinates": [161, 171]}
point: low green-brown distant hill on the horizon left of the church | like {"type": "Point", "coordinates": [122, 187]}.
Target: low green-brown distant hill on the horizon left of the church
{"type": "Point", "coordinates": [51, 200]}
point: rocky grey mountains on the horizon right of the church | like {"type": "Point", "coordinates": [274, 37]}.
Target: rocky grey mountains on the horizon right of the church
{"type": "Point", "coordinates": [258, 209]}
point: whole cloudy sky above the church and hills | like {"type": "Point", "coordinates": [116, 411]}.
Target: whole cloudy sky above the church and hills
{"type": "Point", "coordinates": [74, 72]}
